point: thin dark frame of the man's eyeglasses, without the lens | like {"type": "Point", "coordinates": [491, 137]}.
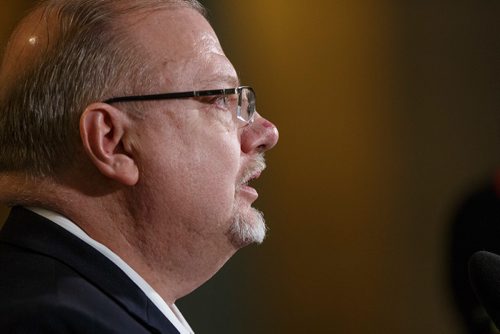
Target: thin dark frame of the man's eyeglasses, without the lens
{"type": "Point", "coordinates": [197, 93]}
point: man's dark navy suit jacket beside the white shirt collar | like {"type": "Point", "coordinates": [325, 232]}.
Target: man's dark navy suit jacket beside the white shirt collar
{"type": "Point", "coordinates": [52, 282]}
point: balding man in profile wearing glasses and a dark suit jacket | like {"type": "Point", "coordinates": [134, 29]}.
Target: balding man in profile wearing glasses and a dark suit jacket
{"type": "Point", "coordinates": [126, 148]}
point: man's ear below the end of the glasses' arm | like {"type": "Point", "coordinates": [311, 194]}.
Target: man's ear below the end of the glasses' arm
{"type": "Point", "coordinates": [103, 130]}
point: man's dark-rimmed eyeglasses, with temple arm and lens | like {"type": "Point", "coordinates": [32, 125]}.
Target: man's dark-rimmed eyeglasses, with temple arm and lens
{"type": "Point", "coordinates": [244, 105]}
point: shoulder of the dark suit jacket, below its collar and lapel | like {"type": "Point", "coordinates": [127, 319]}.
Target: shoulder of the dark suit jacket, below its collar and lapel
{"type": "Point", "coordinates": [40, 294]}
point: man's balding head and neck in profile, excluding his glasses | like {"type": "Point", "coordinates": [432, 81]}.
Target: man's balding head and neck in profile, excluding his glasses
{"type": "Point", "coordinates": [170, 174]}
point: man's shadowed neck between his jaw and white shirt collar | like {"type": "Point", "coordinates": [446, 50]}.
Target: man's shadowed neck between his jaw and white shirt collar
{"type": "Point", "coordinates": [173, 264]}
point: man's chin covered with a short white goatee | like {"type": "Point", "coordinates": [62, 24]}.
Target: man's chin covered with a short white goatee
{"type": "Point", "coordinates": [247, 228]}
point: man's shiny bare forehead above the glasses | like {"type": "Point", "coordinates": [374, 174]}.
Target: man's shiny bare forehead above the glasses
{"type": "Point", "coordinates": [185, 48]}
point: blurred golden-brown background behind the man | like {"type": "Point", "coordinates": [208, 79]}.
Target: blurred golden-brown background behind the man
{"type": "Point", "coordinates": [389, 116]}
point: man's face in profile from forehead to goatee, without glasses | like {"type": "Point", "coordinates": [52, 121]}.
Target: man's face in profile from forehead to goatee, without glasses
{"type": "Point", "coordinates": [196, 157]}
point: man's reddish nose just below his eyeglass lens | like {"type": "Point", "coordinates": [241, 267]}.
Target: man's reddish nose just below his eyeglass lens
{"type": "Point", "coordinates": [259, 136]}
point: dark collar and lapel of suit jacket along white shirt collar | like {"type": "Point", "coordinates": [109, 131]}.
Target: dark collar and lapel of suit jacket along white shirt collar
{"type": "Point", "coordinates": [31, 231]}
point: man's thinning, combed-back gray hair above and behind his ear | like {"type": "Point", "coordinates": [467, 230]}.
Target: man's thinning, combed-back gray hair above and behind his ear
{"type": "Point", "coordinates": [86, 58]}
